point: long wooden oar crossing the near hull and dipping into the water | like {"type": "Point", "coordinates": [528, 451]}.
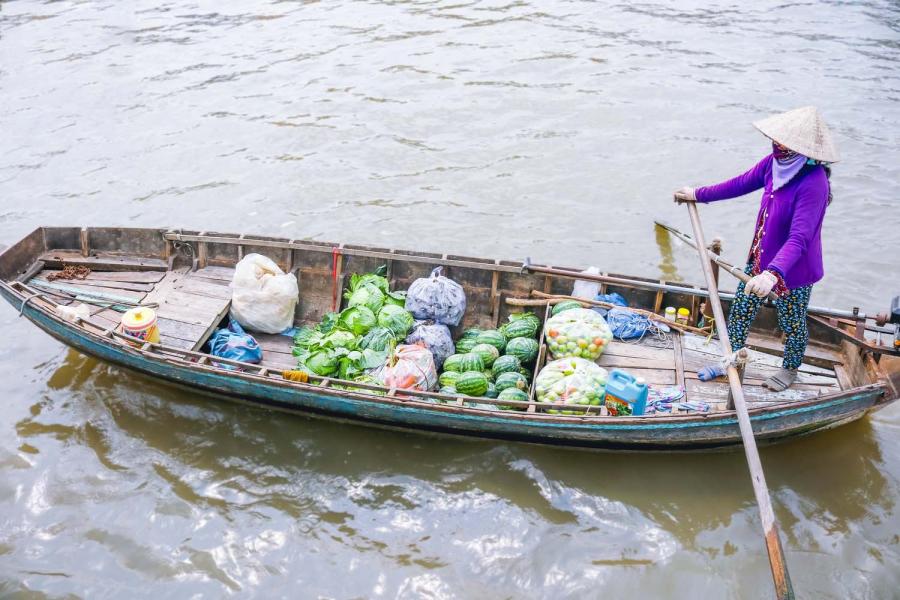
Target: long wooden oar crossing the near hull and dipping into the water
{"type": "Point", "coordinates": [783, 588]}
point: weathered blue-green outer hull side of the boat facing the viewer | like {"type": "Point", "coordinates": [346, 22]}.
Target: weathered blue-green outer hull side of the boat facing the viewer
{"type": "Point", "coordinates": [697, 432]}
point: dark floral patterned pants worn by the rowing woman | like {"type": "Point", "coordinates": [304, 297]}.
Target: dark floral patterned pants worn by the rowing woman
{"type": "Point", "coordinates": [791, 309]}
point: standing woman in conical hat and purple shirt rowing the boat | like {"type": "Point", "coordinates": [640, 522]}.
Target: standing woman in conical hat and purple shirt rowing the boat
{"type": "Point", "coordinates": [786, 254]}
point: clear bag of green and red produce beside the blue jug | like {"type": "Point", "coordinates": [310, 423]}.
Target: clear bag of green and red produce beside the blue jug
{"type": "Point", "coordinates": [573, 380]}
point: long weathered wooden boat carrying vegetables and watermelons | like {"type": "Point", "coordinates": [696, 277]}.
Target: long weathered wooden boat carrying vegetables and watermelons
{"type": "Point", "coordinates": [187, 273]}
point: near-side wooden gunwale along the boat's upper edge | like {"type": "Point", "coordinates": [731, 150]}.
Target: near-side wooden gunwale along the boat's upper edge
{"type": "Point", "coordinates": [632, 422]}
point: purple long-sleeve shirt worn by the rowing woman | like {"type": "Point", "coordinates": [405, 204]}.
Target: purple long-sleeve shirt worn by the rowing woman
{"type": "Point", "coordinates": [791, 242]}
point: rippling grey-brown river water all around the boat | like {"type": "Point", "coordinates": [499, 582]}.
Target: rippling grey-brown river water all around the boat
{"type": "Point", "coordinates": [553, 129]}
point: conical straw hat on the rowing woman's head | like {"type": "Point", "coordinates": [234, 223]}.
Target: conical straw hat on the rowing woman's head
{"type": "Point", "coordinates": [802, 130]}
